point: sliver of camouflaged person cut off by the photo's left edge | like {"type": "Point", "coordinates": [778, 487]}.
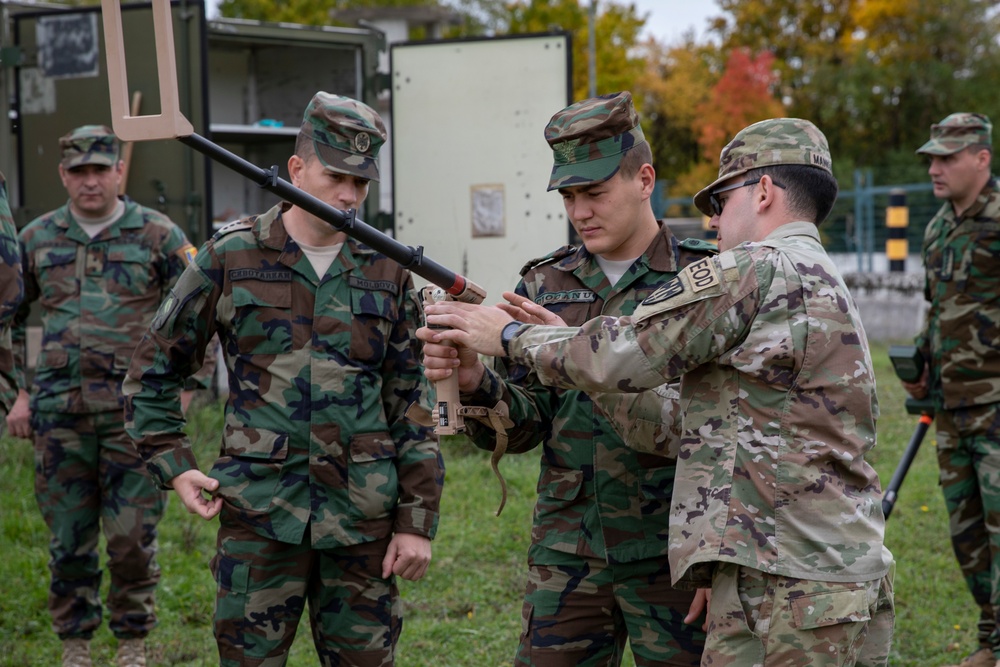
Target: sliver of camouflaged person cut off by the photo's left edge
{"type": "Point", "coordinates": [11, 293]}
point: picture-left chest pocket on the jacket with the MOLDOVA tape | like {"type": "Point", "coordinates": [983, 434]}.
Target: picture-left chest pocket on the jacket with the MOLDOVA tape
{"type": "Point", "coordinates": [262, 316]}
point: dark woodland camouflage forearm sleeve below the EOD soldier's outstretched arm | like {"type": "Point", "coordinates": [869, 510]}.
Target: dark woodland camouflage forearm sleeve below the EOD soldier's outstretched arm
{"type": "Point", "coordinates": [532, 405]}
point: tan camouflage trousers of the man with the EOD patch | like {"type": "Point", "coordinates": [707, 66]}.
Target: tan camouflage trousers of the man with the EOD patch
{"type": "Point", "coordinates": [761, 620]}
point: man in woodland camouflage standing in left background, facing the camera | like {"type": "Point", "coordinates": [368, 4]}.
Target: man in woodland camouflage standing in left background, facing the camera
{"type": "Point", "coordinates": [99, 267]}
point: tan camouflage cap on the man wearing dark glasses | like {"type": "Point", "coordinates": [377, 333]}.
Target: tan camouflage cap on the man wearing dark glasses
{"type": "Point", "coordinates": [767, 143]}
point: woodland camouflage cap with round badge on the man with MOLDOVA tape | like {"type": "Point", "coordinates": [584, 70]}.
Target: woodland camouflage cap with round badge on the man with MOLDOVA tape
{"type": "Point", "coordinates": [346, 134]}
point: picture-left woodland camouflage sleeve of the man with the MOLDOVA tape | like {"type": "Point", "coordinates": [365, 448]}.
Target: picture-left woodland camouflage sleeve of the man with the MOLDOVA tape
{"type": "Point", "coordinates": [171, 351]}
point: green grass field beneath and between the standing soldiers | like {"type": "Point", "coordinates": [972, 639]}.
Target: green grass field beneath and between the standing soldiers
{"type": "Point", "coordinates": [466, 611]}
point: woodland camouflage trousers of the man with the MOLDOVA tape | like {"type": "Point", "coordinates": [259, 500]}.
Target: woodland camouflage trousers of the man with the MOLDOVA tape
{"type": "Point", "coordinates": [263, 586]}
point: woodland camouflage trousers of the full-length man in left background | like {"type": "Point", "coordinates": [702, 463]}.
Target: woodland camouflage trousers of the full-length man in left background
{"type": "Point", "coordinates": [89, 477]}
